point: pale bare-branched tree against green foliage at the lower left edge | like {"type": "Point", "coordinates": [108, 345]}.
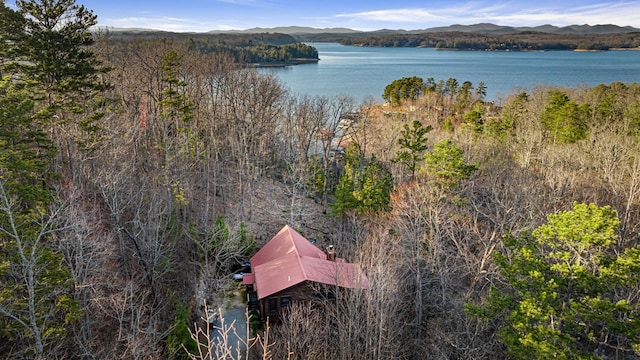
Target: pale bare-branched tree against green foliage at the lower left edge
{"type": "Point", "coordinates": [35, 298]}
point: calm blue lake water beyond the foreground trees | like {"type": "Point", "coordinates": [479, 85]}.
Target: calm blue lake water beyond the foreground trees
{"type": "Point", "coordinates": [363, 72]}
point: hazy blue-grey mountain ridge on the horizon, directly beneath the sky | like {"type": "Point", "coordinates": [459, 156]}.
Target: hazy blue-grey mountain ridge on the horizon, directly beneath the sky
{"type": "Point", "coordinates": [477, 28]}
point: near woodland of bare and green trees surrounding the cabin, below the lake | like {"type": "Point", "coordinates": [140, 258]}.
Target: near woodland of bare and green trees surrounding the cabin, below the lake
{"type": "Point", "coordinates": [135, 176]}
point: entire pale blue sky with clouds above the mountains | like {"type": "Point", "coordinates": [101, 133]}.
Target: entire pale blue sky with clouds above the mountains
{"type": "Point", "coordinates": [205, 15]}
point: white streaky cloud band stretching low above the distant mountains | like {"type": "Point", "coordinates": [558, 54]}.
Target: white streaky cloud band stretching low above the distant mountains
{"type": "Point", "coordinates": [510, 13]}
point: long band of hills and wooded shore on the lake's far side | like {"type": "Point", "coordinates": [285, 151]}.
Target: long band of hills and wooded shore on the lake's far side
{"type": "Point", "coordinates": [484, 36]}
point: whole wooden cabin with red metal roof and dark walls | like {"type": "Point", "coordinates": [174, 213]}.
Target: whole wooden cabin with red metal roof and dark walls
{"type": "Point", "coordinates": [286, 268]}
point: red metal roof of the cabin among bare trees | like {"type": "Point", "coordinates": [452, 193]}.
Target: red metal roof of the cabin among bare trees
{"type": "Point", "coordinates": [289, 259]}
